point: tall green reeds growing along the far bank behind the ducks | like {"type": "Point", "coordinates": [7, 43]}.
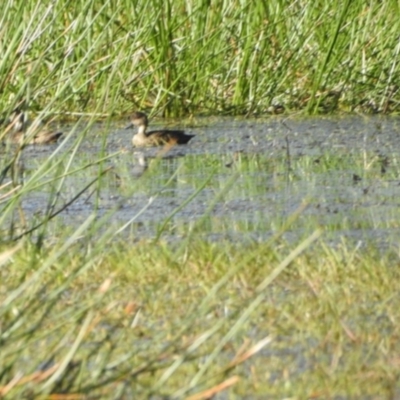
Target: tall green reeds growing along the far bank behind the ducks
{"type": "Point", "coordinates": [186, 57]}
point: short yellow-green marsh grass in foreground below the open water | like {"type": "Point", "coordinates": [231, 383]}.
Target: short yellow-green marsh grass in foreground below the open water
{"type": "Point", "coordinates": [145, 321]}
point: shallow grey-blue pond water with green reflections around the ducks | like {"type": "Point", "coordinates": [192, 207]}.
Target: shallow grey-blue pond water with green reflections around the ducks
{"type": "Point", "coordinates": [237, 180]}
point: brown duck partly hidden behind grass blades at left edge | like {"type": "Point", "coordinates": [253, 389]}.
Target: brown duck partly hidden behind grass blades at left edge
{"type": "Point", "coordinates": [17, 124]}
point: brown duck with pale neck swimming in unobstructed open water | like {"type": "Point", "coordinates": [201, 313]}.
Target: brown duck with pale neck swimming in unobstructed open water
{"type": "Point", "coordinates": [154, 138]}
